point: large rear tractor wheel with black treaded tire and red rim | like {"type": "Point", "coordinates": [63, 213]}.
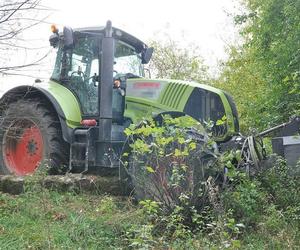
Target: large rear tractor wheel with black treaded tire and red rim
{"type": "Point", "coordinates": [30, 136]}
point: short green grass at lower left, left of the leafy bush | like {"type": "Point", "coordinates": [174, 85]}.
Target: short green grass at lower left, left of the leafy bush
{"type": "Point", "coordinates": [51, 220]}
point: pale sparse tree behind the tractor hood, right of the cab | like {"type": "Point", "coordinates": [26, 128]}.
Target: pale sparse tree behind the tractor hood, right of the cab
{"type": "Point", "coordinates": [172, 61]}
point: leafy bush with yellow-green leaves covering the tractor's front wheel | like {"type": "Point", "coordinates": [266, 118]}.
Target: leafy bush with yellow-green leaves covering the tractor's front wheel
{"type": "Point", "coordinates": [174, 168]}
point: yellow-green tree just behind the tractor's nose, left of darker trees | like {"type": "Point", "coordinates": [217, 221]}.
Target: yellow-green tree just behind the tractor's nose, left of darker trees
{"type": "Point", "coordinates": [243, 81]}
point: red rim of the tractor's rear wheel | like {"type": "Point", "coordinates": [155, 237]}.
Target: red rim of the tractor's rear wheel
{"type": "Point", "coordinates": [23, 147]}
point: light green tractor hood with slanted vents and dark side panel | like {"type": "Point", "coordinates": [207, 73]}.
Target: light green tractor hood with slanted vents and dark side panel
{"type": "Point", "coordinates": [203, 102]}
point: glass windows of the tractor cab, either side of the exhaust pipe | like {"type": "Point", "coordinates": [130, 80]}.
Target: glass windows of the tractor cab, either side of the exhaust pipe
{"type": "Point", "coordinates": [78, 69]}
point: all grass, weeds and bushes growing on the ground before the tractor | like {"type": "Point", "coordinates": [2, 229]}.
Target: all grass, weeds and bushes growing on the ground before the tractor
{"type": "Point", "coordinates": [195, 211]}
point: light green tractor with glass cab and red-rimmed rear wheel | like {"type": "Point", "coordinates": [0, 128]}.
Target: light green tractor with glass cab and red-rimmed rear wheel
{"type": "Point", "coordinates": [76, 121]}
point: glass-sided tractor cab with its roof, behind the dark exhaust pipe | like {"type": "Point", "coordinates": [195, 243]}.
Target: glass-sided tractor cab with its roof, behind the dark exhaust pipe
{"type": "Point", "coordinates": [78, 65]}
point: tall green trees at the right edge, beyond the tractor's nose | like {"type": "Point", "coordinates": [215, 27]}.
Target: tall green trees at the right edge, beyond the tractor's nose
{"type": "Point", "coordinates": [263, 74]}
